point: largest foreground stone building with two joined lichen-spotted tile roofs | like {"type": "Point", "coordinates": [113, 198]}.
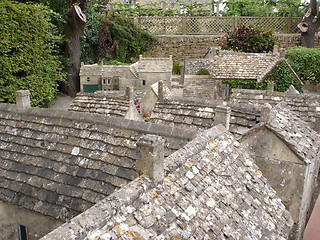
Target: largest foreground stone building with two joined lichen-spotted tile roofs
{"type": "Point", "coordinates": [60, 164]}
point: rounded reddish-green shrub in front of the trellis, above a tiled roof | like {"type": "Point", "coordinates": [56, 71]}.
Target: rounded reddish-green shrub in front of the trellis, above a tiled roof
{"type": "Point", "coordinates": [248, 39]}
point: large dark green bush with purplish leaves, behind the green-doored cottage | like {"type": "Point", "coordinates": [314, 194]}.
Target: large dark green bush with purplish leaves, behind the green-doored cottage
{"type": "Point", "coordinates": [119, 33]}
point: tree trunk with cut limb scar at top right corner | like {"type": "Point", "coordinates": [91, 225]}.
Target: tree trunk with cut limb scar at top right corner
{"type": "Point", "coordinates": [309, 26]}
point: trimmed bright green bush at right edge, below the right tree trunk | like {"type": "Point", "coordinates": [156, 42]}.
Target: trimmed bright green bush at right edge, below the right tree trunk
{"type": "Point", "coordinates": [305, 62]}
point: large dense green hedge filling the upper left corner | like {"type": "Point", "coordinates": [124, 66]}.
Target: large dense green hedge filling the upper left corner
{"type": "Point", "coordinates": [28, 56]}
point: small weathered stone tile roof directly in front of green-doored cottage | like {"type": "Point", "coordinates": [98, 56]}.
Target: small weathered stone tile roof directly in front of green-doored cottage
{"type": "Point", "coordinates": [111, 103]}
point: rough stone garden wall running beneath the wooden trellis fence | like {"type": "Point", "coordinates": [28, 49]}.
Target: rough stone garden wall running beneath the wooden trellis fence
{"type": "Point", "coordinates": [196, 46]}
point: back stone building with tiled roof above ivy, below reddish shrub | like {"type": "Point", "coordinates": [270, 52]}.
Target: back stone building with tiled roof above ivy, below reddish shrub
{"type": "Point", "coordinates": [228, 65]}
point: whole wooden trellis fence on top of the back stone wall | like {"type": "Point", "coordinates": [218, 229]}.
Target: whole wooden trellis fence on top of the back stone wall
{"type": "Point", "coordinates": [215, 25]}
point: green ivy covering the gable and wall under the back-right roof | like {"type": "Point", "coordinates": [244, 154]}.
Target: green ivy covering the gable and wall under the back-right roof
{"type": "Point", "coordinates": [281, 75]}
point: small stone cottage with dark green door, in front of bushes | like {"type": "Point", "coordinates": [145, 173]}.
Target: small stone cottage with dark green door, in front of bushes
{"type": "Point", "coordinates": [140, 75]}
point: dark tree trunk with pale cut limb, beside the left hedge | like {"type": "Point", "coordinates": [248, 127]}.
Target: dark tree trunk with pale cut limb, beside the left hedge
{"type": "Point", "coordinates": [73, 30]}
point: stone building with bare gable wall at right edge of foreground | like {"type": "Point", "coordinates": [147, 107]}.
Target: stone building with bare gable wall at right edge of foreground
{"type": "Point", "coordinates": [287, 152]}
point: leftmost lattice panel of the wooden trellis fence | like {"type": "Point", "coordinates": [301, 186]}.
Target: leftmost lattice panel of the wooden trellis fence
{"type": "Point", "coordinates": [161, 25]}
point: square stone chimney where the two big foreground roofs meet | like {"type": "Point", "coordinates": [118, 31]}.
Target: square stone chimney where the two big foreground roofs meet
{"type": "Point", "coordinates": [150, 157]}
